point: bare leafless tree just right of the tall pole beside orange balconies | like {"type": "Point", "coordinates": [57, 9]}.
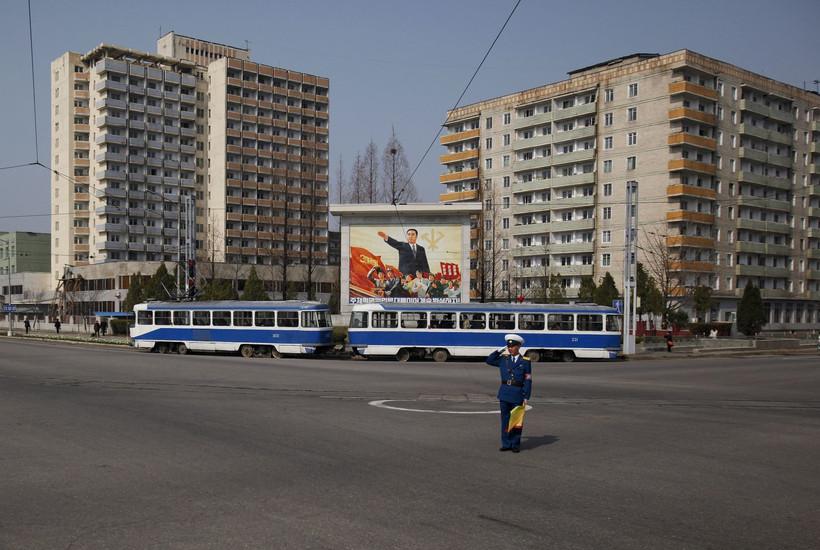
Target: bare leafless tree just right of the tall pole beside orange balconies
{"type": "Point", "coordinates": [663, 265]}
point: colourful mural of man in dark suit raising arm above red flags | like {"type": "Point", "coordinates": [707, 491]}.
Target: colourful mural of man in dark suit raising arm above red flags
{"type": "Point", "coordinates": [403, 264]}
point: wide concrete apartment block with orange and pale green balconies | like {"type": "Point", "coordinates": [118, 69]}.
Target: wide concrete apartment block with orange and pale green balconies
{"type": "Point", "coordinates": [726, 160]}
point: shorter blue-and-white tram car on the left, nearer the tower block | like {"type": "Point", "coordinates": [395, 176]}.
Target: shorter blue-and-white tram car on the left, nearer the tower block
{"type": "Point", "coordinates": [252, 328]}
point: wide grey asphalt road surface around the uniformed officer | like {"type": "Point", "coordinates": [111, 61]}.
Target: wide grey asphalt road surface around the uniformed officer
{"type": "Point", "coordinates": [113, 448]}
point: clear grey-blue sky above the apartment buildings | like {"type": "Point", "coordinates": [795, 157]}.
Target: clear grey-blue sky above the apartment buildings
{"type": "Point", "coordinates": [392, 64]}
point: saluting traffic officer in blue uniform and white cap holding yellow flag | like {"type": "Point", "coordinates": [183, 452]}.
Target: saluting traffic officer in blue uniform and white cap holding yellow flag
{"type": "Point", "coordinates": [516, 386]}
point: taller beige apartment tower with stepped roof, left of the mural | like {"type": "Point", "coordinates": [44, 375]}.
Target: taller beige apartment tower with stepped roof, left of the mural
{"type": "Point", "coordinates": [136, 136]}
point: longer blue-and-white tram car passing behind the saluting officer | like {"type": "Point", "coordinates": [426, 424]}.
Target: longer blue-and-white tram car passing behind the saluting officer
{"type": "Point", "coordinates": [556, 331]}
